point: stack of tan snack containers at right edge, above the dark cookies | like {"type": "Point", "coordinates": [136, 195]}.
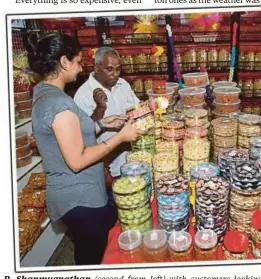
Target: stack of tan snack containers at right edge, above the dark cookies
{"type": "Point", "coordinates": [248, 126]}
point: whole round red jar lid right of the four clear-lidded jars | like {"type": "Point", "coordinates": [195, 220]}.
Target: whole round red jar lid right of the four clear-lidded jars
{"type": "Point", "coordinates": [236, 241]}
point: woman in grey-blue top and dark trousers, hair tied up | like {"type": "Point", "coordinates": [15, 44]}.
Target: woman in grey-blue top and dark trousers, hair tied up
{"type": "Point", "coordinates": [66, 138]}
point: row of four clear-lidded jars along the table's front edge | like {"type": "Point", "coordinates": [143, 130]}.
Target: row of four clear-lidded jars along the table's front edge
{"type": "Point", "coordinates": [154, 246]}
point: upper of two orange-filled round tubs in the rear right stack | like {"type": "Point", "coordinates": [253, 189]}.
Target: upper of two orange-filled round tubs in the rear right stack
{"type": "Point", "coordinates": [227, 95]}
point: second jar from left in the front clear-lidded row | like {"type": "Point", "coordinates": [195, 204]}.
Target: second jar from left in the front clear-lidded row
{"type": "Point", "coordinates": [155, 246]}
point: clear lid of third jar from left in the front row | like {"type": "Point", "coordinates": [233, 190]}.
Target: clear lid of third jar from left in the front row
{"type": "Point", "coordinates": [180, 241]}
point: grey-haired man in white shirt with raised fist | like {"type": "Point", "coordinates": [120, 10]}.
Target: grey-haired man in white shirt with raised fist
{"type": "Point", "coordinates": [105, 94]}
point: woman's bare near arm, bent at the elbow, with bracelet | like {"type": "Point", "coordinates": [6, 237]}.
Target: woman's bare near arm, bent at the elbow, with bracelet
{"type": "Point", "coordinates": [66, 127]}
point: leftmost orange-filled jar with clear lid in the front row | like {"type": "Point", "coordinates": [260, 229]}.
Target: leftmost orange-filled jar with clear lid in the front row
{"type": "Point", "coordinates": [130, 246]}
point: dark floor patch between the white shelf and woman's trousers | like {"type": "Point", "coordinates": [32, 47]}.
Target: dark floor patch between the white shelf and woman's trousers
{"type": "Point", "coordinates": [63, 255]}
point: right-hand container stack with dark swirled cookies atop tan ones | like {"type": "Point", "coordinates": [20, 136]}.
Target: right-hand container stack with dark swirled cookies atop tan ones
{"type": "Point", "coordinates": [245, 195]}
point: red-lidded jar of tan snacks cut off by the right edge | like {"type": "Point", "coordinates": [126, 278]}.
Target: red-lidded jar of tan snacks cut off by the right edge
{"type": "Point", "coordinates": [256, 234]}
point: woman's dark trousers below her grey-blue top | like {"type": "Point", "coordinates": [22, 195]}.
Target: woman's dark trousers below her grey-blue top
{"type": "Point", "coordinates": [89, 230]}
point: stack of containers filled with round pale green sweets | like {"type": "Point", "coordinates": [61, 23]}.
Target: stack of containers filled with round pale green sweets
{"type": "Point", "coordinates": [132, 200]}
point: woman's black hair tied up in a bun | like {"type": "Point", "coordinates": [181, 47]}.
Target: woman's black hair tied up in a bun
{"type": "Point", "coordinates": [44, 53]}
